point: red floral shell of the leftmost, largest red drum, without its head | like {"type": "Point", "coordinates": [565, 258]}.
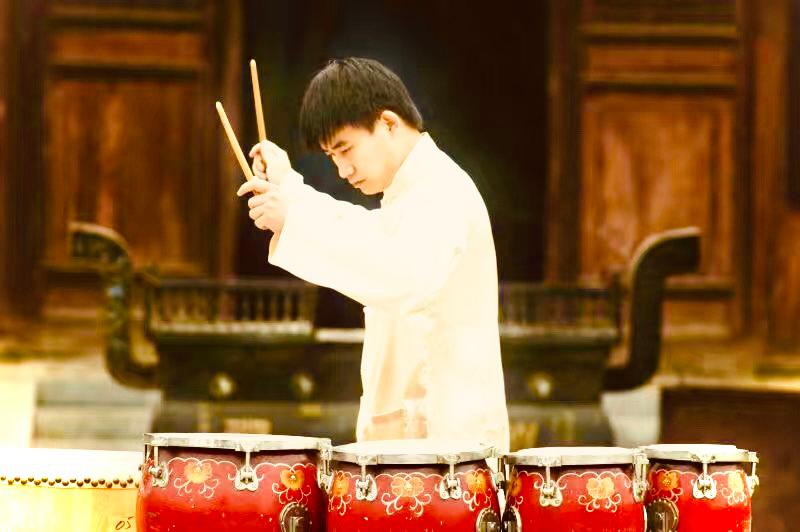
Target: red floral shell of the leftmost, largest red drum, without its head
{"type": "Point", "coordinates": [201, 494]}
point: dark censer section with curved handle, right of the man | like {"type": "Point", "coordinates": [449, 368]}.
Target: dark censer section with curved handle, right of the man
{"type": "Point", "coordinates": [541, 324]}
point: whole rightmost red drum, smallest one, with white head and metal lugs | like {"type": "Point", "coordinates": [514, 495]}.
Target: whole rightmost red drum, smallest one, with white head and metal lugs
{"type": "Point", "coordinates": [700, 488]}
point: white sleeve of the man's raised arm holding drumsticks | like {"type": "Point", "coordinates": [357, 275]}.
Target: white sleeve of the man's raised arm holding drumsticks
{"type": "Point", "coordinates": [353, 250]}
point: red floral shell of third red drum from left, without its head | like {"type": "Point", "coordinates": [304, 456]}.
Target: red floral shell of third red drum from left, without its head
{"type": "Point", "coordinates": [596, 498]}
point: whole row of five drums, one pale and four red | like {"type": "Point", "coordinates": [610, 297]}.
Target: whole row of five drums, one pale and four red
{"type": "Point", "coordinates": [242, 482]}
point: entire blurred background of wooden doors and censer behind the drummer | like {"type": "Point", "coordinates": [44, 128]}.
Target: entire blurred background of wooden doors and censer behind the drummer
{"type": "Point", "coordinates": [588, 126]}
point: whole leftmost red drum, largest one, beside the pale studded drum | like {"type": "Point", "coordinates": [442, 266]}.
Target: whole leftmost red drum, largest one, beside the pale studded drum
{"type": "Point", "coordinates": [238, 482]}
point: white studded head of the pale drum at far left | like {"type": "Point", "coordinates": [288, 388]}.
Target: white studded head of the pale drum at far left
{"type": "Point", "coordinates": [70, 467]}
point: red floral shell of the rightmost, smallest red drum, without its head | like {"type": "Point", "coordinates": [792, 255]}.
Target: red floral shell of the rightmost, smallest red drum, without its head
{"type": "Point", "coordinates": [729, 511]}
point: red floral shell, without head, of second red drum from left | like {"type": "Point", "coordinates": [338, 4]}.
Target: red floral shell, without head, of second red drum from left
{"type": "Point", "coordinates": [408, 498]}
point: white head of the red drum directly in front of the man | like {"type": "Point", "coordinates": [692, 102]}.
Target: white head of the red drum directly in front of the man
{"type": "Point", "coordinates": [425, 451]}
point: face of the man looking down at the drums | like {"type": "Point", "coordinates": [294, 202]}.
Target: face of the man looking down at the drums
{"type": "Point", "coordinates": [364, 158]}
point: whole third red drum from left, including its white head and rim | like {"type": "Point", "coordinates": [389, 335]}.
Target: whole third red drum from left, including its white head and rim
{"type": "Point", "coordinates": [571, 489]}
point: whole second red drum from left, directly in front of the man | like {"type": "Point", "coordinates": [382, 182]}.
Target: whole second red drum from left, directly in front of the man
{"type": "Point", "coordinates": [401, 485]}
